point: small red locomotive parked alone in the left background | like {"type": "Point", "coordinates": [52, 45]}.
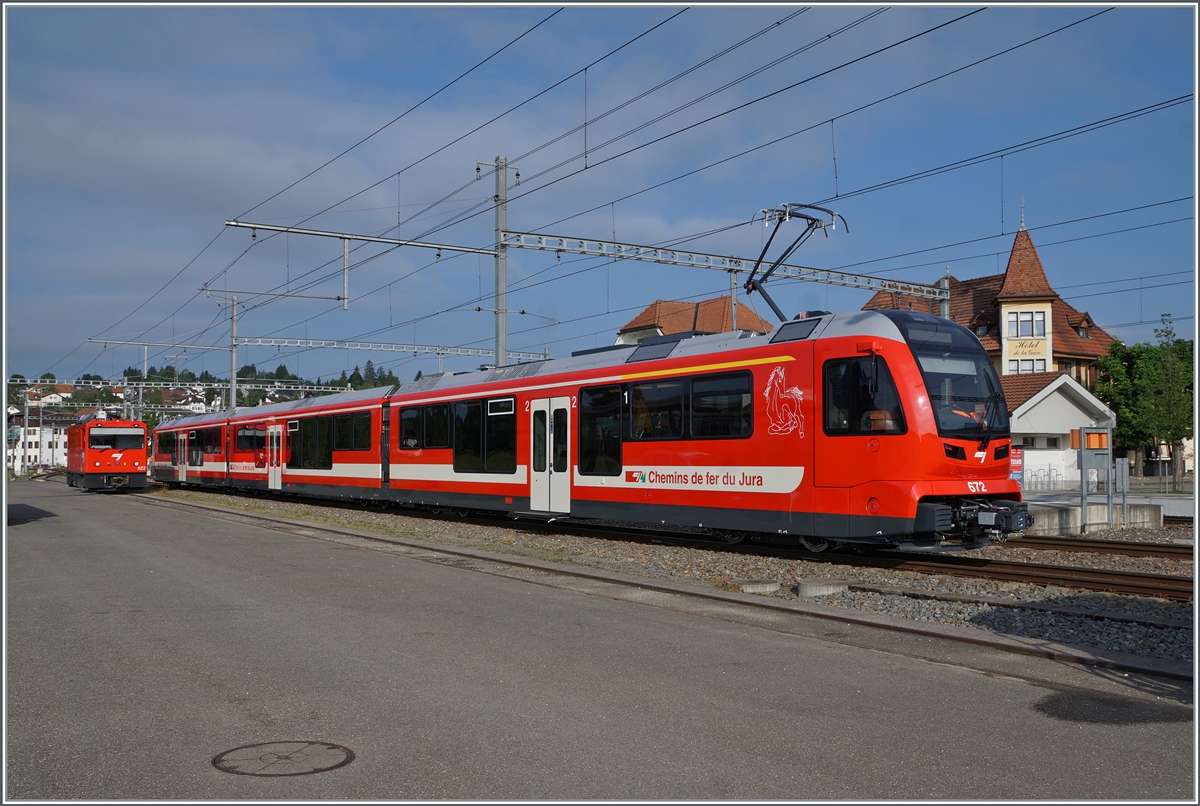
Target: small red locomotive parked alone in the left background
{"type": "Point", "coordinates": [107, 454]}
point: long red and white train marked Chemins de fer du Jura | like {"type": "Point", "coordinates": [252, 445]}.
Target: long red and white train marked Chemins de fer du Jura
{"type": "Point", "coordinates": [880, 428]}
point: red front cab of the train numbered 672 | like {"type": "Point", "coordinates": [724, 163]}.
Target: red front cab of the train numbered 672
{"type": "Point", "coordinates": [927, 467]}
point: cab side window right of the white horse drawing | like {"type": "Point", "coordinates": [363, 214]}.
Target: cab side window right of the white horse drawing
{"type": "Point", "coordinates": [861, 399]}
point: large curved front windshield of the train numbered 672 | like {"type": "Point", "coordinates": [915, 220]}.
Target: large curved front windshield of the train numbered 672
{"type": "Point", "coordinates": [964, 388]}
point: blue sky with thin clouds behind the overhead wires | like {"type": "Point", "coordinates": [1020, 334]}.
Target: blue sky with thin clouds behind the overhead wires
{"type": "Point", "coordinates": [134, 134]}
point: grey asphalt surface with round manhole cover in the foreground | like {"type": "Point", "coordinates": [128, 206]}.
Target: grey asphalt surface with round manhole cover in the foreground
{"type": "Point", "coordinates": [145, 642]}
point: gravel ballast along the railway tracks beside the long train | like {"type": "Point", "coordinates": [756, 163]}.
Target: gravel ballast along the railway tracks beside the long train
{"type": "Point", "coordinates": [1150, 628]}
